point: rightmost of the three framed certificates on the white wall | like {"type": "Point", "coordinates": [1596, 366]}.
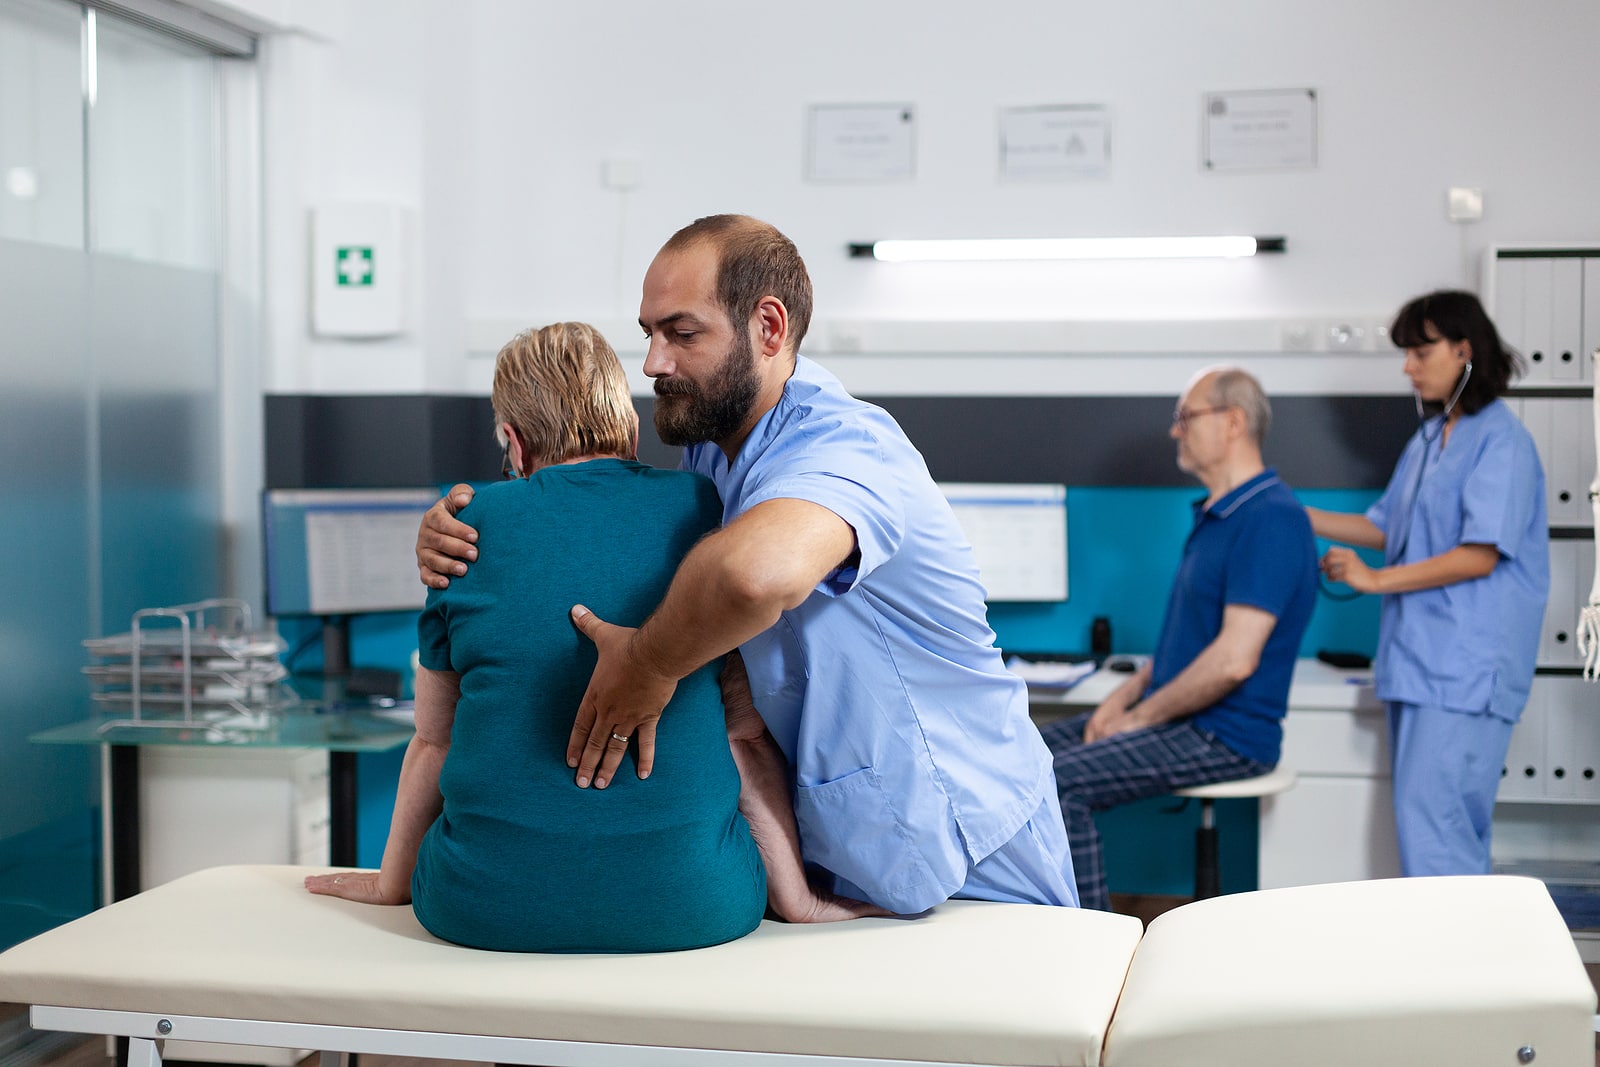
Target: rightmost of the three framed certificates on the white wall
{"type": "Point", "coordinates": [1260, 130]}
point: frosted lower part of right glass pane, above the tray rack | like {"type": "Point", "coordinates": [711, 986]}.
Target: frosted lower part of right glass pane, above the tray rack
{"type": "Point", "coordinates": [156, 353]}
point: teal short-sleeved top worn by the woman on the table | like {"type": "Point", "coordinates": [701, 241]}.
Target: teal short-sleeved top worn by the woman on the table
{"type": "Point", "coordinates": [521, 858]}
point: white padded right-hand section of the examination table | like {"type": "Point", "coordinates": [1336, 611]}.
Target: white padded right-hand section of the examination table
{"type": "Point", "coordinates": [1457, 972]}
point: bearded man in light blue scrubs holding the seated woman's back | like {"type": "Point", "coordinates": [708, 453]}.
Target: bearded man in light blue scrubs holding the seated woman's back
{"type": "Point", "coordinates": [846, 583]}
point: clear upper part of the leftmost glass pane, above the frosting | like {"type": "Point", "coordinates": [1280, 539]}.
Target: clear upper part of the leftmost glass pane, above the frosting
{"type": "Point", "coordinates": [41, 122]}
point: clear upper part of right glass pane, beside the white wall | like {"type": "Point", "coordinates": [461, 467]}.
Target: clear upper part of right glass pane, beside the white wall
{"type": "Point", "coordinates": [153, 148]}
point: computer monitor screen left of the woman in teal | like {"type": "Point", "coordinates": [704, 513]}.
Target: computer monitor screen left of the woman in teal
{"type": "Point", "coordinates": [335, 553]}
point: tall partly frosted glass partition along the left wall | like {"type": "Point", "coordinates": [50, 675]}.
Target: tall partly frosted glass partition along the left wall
{"type": "Point", "coordinates": [111, 383]}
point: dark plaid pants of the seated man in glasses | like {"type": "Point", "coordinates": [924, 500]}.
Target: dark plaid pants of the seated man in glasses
{"type": "Point", "coordinates": [1124, 769]}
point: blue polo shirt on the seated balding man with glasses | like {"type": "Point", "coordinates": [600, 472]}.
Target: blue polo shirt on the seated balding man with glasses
{"type": "Point", "coordinates": [1252, 548]}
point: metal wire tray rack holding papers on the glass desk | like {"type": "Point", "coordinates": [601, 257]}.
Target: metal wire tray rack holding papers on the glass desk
{"type": "Point", "coordinates": [196, 666]}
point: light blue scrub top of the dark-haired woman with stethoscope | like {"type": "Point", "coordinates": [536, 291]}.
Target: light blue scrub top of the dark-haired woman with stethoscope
{"type": "Point", "coordinates": [1470, 647]}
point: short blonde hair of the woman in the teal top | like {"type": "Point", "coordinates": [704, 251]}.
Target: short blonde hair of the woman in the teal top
{"type": "Point", "coordinates": [566, 394]}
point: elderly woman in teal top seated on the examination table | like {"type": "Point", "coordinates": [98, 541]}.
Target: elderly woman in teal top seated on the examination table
{"type": "Point", "coordinates": [492, 842]}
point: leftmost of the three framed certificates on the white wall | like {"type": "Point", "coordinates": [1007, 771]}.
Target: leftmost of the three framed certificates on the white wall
{"type": "Point", "coordinates": [862, 143]}
